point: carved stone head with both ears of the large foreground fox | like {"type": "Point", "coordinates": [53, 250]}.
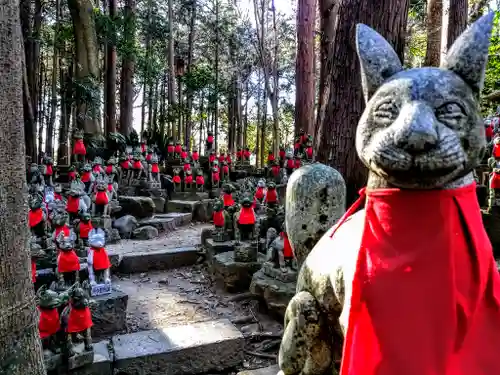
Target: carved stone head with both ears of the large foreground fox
{"type": "Point", "coordinates": [421, 127]}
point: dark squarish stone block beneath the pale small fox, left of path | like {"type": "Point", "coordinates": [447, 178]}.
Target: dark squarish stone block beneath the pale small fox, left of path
{"type": "Point", "coordinates": [109, 313]}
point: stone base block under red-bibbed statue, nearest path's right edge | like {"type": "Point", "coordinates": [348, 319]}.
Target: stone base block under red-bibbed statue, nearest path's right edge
{"type": "Point", "coordinates": [234, 276]}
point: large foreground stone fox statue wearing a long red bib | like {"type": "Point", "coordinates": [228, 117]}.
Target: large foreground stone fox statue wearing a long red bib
{"type": "Point", "coordinates": [410, 281]}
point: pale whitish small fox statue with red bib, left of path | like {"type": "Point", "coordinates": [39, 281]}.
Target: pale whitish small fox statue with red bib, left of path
{"type": "Point", "coordinates": [97, 258]}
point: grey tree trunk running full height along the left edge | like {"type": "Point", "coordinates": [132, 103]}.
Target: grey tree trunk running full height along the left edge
{"type": "Point", "coordinates": [20, 346]}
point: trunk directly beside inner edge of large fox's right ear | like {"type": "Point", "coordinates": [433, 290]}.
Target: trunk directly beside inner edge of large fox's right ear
{"type": "Point", "coordinates": [454, 22]}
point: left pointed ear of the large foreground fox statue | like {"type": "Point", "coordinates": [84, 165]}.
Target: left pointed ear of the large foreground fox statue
{"type": "Point", "coordinates": [377, 59]}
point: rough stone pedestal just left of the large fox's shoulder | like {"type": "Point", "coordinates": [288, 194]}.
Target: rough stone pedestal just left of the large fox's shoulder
{"type": "Point", "coordinates": [275, 287]}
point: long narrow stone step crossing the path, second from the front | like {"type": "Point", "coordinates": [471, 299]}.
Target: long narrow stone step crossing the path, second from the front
{"type": "Point", "coordinates": [162, 259]}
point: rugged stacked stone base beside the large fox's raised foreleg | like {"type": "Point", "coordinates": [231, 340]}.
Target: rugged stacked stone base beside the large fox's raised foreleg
{"type": "Point", "coordinates": [274, 292]}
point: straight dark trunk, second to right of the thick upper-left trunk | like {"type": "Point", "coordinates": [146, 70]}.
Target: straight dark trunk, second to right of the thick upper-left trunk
{"type": "Point", "coordinates": [127, 73]}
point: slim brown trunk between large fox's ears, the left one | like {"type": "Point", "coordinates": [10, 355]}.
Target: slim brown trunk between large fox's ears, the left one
{"type": "Point", "coordinates": [433, 24]}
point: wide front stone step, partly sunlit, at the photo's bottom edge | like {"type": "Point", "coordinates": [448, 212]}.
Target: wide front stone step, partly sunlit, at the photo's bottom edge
{"type": "Point", "coordinates": [190, 349]}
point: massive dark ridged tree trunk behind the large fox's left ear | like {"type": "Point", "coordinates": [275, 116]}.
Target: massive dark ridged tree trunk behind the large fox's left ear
{"type": "Point", "coordinates": [342, 96]}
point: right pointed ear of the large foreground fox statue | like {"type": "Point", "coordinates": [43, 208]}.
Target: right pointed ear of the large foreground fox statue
{"type": "Point", "coordinates": [468, 56]}
